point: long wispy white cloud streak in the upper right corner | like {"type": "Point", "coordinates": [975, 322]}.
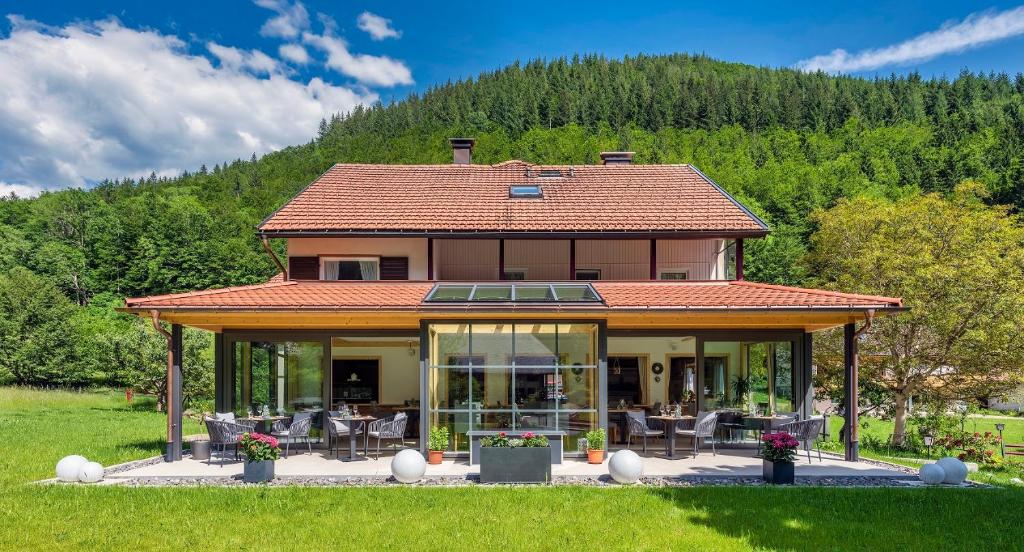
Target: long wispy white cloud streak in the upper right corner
{"type": "Point", "coordinates": [976, 30]}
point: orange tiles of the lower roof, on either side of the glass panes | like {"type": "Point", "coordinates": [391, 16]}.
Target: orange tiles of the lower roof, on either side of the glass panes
{"type": "Point", "coordinates": [302, 295]}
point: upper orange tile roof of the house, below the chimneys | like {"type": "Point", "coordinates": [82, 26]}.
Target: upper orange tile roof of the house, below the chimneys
{"type": "Point", "coordinates": [352, 198]}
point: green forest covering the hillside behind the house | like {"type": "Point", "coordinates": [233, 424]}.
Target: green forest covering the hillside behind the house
{"type": "Point", "coordinates": [785, 143]}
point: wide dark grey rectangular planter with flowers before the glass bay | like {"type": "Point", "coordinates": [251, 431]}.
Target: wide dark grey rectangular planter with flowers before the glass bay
{"type": "Point", "coordinates": [524, 460]}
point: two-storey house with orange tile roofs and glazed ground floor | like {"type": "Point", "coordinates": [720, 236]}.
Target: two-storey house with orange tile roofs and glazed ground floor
{"type": "Point", "coordinates": [513, 296]}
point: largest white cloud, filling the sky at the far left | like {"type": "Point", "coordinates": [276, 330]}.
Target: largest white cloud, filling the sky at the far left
{"type": "Point", "coordinates": [98, 101]}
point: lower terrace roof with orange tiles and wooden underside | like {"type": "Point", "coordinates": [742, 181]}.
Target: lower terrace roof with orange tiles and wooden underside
{"type": "Point", "coordinates": [312, 305]}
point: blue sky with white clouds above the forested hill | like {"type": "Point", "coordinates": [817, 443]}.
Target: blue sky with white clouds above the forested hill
{"type": "Point", "coordinates": [106, 90]}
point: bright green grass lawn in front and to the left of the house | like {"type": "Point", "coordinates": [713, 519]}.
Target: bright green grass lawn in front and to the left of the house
{"type": "Point", "coordinates": [39, 428]}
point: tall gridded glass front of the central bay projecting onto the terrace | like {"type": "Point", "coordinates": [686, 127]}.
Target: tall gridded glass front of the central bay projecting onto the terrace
{"type": "Point", "coordinates": [513, 376]}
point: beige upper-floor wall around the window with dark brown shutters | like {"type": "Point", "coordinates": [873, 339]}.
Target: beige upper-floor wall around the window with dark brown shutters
{"type": "Point", "coordinates": [414, 248]}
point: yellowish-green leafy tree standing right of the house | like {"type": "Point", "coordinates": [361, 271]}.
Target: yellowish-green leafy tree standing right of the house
{"type": "Point", "coordinates": [959, 265]}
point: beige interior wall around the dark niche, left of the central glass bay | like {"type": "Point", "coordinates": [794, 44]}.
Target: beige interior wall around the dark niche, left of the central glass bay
{"type": "Point", "coordinates": [400, 371]}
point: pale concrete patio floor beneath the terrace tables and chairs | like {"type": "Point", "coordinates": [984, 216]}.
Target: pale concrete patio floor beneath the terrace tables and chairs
{"type": "Point", "coordinates": [729, 463]}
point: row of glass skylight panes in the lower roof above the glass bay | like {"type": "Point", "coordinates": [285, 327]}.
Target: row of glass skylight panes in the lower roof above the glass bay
{"type": "Point", "coordinates": [534, 292]}
